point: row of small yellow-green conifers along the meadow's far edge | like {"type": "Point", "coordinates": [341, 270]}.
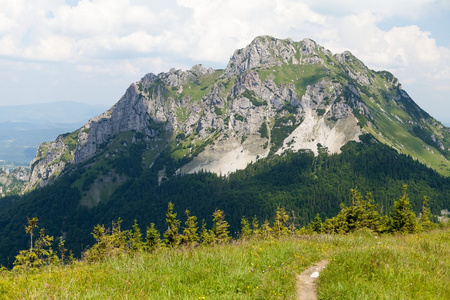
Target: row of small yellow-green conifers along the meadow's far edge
{"type": "Point", "coordinates": [114, 241]}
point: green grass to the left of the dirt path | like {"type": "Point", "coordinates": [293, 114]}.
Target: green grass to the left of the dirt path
{"type": "Point", "coordinates": [249, 270]}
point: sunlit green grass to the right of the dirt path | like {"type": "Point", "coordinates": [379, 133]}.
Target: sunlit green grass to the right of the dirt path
{"type": "Point", "coordinates": [391, 267]}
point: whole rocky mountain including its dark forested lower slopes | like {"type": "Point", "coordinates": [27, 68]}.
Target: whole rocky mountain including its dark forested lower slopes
{"type": "Point", "coordinates": [285, 123]}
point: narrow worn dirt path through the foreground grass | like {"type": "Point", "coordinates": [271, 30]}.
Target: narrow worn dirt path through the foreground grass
{"type": "Point", "coordinates": [306, 282]}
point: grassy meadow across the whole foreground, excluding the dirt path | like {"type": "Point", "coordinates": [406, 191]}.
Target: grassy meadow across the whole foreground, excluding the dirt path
{"type": "Point", "coordinates": [362, 266]}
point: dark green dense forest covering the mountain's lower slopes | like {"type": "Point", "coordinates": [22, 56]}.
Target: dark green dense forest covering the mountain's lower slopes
{"type": "Point", "coordinates": [302, 183]}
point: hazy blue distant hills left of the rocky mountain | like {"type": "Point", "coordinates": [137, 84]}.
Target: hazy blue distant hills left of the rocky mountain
{"type": "Point", "coordinates": [24, 127]}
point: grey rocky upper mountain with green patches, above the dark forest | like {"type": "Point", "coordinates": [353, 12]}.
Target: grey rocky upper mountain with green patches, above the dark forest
{"type": "Point", "coordinates": [274, 95]}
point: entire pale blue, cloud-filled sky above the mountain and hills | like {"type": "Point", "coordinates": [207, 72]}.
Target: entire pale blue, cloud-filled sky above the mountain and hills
{"type": "Point", "coordinates": [91, 50]}
